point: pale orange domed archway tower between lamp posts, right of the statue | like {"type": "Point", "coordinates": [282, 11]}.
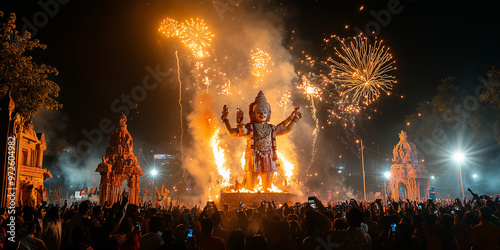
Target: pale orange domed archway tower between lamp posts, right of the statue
{"type": "Point", "coordinates": [409, 177]}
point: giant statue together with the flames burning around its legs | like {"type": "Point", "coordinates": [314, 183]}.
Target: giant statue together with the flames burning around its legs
{"type": "Point", "coordinates": [261, 157]}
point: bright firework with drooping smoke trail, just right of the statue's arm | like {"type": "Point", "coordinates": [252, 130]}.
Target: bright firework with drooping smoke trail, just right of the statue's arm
{"type": "Point", "coordinates": [312, 92]}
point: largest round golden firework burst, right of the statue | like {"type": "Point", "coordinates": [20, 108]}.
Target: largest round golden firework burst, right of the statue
{"type": "Point", "coordinates": [363, 69]}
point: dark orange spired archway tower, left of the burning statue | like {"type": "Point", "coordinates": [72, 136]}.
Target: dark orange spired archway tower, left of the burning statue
{"type": "Point", "coordinates": [119, 164]}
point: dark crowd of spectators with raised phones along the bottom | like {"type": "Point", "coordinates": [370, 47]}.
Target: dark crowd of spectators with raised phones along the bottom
{"type": "Point", "coordinates": [462, 224]}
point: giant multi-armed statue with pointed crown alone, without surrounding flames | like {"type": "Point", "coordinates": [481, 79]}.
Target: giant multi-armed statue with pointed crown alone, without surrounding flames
{"type": "Point", "coordinates": [261, 156]}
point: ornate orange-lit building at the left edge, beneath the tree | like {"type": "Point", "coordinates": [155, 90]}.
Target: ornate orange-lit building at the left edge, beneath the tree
{"type": "Point", "coordinates": [21, 158]}
